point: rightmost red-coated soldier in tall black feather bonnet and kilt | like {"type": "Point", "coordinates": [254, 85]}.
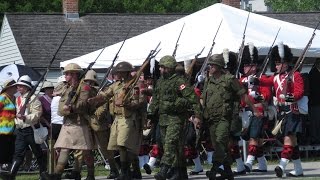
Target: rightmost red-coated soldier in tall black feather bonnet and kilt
{"type": "Point", "coordinates": [288, 90]}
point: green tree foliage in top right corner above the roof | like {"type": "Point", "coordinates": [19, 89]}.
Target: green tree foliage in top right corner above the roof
{"type": "Point", "coordinates": [293, 5]}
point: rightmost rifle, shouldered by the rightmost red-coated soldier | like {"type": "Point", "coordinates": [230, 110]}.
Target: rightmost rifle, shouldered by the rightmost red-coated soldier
{"type": "Point", "coordinates": [299, 61]}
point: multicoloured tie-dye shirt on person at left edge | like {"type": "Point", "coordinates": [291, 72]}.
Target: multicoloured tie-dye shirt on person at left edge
{"type": "Point", "coordinates": [7, 114]}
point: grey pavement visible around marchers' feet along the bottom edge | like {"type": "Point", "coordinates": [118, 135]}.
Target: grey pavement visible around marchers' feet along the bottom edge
{"type": "Point", "coordinates": [311, 171]}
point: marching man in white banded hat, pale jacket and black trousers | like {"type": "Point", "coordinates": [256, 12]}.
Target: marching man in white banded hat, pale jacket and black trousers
{"type": "Point", "coordinates": [24, 120]}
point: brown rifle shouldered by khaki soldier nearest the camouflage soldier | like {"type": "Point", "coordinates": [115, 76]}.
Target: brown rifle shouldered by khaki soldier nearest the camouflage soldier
{"type": "Point", "coordinates": [128, 87]}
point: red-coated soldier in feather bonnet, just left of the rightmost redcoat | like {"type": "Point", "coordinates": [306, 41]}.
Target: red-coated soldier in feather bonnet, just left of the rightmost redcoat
{"type": "Point", "coordinates": [259, 96]}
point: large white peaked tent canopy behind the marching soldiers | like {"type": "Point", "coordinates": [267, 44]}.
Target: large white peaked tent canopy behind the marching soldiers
{"type": "Point", "coordinates": [200, 28]}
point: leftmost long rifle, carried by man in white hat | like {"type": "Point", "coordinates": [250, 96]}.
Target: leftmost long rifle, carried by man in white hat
{"type": "Point", "coordinates": [43, 77]}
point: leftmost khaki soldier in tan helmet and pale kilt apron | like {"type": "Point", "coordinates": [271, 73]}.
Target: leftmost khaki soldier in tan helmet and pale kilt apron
{"type": "Point", "coordinates": [75, 132]}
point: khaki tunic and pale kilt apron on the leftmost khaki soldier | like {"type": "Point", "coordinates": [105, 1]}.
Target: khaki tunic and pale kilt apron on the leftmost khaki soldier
{"type": "Point", "coordinates": [75, 132]}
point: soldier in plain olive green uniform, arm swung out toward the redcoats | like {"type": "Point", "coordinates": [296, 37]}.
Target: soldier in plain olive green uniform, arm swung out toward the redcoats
{"type": "Point", "coordinates": [219, 93]}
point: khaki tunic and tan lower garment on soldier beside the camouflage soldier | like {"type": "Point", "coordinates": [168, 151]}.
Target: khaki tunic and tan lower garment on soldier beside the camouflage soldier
{"type": "Point", "coordinates": [126, 129]}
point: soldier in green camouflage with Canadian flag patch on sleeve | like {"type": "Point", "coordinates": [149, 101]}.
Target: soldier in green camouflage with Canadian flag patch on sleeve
{"type": "Point", "coordinates": [172, 99]}
